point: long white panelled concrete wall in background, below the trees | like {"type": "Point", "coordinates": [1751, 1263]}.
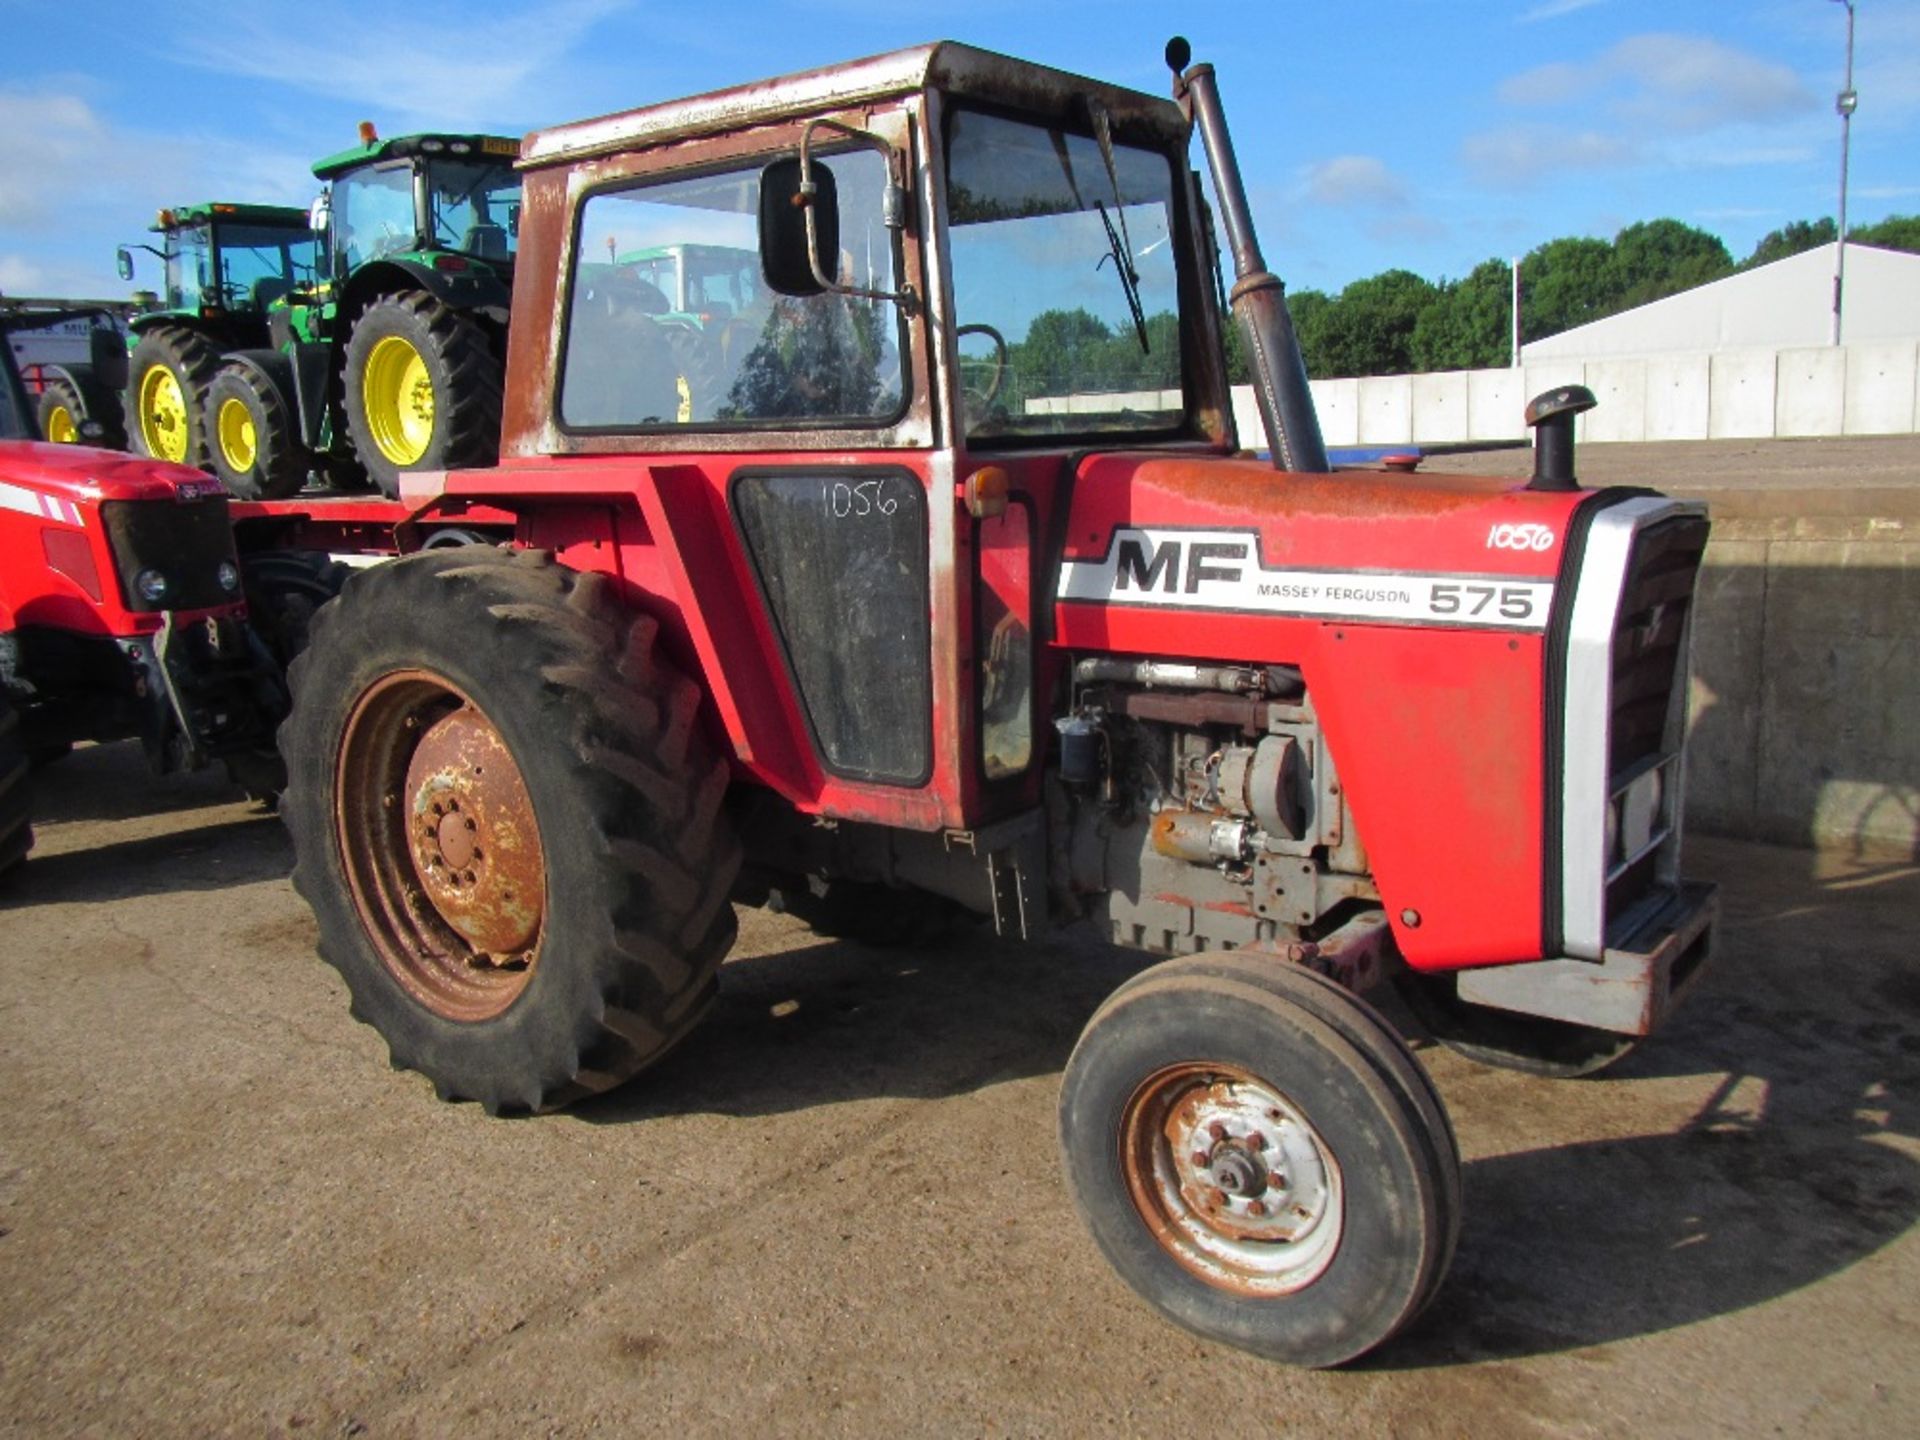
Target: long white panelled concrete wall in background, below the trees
{"type": "Point", "coordinates": [1729, 395]}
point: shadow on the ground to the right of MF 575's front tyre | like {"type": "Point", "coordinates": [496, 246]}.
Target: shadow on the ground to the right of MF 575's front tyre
{"type": "Point", "coordinates": [1800, 1163]}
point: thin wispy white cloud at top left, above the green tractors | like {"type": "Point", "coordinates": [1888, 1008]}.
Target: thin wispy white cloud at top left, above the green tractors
{"type": "Point", "coordinates": [431, 64]}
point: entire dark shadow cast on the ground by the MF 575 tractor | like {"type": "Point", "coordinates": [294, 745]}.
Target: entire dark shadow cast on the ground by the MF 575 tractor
{"type": "Point", "coordinates": [1802, 1055]}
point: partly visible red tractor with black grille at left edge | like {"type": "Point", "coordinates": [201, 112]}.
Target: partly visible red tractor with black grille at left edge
{"type": "Point", "coordinates": [122, 615]}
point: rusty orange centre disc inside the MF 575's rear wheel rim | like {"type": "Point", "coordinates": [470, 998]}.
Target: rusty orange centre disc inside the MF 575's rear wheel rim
{"type": "Point", "coordinates": [473, 836]}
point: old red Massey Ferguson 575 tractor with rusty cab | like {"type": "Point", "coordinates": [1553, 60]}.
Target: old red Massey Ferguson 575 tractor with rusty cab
{"type": "Point", "coordinates": [1026, 636]}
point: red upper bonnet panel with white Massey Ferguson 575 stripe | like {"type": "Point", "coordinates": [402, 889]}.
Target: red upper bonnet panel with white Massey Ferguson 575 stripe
{"type": "Point", "coordinates": [1241, 539]}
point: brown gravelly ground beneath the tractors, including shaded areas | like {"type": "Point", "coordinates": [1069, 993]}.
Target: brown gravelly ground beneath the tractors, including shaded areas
{"type": "Point", "coordinates": [838, 1209]}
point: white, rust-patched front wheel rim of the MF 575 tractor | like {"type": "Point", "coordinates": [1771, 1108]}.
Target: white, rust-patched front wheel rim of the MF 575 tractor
{"type": "Point", "coordinates": [1232, 1180]}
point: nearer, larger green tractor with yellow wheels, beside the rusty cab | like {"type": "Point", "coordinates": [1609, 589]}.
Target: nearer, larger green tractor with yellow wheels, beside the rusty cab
{"type": "Point", "coordinates": [393, 360]}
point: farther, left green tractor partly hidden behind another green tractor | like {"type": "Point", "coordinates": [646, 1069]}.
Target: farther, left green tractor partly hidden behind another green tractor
{"type": "Point", "coordinates": [222, 268]}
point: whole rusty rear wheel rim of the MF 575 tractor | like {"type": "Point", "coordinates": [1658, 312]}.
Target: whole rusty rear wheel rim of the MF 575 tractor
{"type": "Point", "coordinates": [441, 846]}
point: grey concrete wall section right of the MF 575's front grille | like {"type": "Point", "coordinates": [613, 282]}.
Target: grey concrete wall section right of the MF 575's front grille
{"type": "Point", "coordinates": [1808, 673]}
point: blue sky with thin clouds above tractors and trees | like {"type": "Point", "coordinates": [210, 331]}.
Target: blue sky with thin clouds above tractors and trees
{"type": "Point", "coordinates": [1376, 133]}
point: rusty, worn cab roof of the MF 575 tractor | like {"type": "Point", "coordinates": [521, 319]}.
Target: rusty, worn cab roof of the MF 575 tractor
{"type": "Point", "coordinates": [946, 66]}
